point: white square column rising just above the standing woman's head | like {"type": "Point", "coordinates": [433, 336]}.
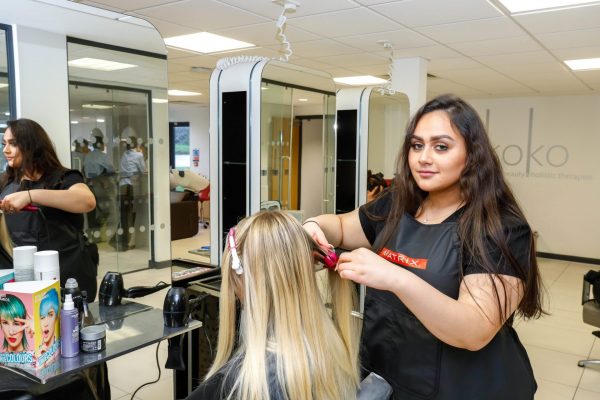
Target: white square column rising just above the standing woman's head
{"type": "Point", "coordinates": [409, 76]}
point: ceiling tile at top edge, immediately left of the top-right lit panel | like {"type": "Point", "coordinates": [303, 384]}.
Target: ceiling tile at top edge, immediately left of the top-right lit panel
{"type": "Point", "coordinates": [413, 13]}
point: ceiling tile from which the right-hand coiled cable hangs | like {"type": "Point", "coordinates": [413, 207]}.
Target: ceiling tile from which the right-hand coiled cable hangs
{"type": "Point", "coordinates": [401, 38]}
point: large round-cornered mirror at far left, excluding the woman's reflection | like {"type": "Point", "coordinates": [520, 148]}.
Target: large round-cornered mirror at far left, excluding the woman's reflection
{"type": "Point", "coordinates": [103, 83]}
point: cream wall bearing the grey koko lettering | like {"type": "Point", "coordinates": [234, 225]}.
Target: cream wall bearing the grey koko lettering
{"type": "Point", "coordinates": [553, 166]}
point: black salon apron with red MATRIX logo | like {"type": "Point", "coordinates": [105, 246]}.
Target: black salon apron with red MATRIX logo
{"type": "Point", "coordinates": [396, 346]}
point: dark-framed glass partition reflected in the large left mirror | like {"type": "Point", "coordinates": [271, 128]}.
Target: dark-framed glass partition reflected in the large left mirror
{"type": "Point", "coordinates": [112, 93]}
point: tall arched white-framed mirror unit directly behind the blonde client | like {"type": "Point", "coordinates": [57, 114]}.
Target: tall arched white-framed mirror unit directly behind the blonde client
{"type": "Point", "coordinates": [272, 142]}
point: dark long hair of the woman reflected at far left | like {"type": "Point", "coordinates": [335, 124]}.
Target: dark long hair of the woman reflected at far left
{"type": "Point", "coordinates": [37, 152]}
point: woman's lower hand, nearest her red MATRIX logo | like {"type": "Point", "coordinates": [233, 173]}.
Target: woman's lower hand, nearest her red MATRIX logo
{"type": "Point", "coordinates": [367, 268]}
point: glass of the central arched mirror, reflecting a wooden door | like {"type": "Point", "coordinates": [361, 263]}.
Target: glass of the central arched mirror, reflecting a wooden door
{"type": "Point", "coordinates": [296, 129]}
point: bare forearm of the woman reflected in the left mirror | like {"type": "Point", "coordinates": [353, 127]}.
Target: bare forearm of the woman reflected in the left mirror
{"type": "Point", "coordinates": [77, 199]}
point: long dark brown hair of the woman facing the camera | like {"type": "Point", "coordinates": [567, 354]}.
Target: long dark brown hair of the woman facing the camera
{"type": "Point", "coordinates": [488, 202]}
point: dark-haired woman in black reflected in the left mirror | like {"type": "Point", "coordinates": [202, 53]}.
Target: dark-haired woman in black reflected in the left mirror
{"type": "Point", "coordinates": [34, 175]}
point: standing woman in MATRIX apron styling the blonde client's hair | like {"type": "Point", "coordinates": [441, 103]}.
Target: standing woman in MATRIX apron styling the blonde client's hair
{"type": "Point", "coordinates": [448, 260]}
